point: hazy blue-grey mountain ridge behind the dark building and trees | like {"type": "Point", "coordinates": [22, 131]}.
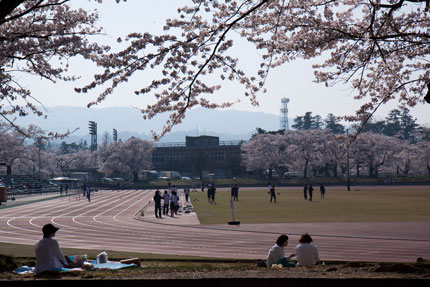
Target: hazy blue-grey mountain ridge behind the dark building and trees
{"type": "Point", "coordinates": [227, 124]}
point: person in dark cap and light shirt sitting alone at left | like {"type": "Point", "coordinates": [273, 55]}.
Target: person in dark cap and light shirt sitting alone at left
{"type": "Point", "coordinates": [48, 254]}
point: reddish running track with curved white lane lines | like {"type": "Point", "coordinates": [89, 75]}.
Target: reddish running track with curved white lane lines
{"type": "Point", "coordinates": [109, 223]}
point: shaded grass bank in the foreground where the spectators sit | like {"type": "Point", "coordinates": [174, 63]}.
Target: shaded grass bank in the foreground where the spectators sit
{"type": "Point", "coordinates": [183, 267]}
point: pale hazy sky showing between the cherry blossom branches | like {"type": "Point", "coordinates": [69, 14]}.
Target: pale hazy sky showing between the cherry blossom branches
{"type": "Point", "coordinates": [293, 80]}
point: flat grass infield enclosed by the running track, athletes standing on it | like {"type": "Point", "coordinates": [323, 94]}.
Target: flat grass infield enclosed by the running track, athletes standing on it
{"type": "Point", "coordinates": [361, 204]}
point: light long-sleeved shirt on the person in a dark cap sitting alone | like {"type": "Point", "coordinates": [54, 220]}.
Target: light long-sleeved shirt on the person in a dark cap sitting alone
{"type": "Point", "coordinates": [48, 255]}
